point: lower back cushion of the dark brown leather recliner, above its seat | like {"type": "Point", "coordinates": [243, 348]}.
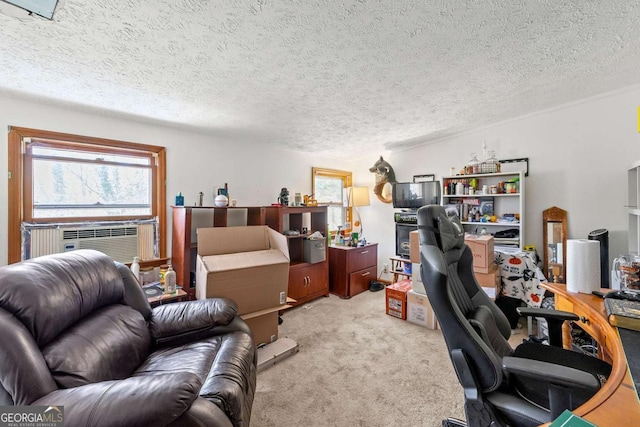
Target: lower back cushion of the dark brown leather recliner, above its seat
{"type": "Point", "coordinates": [108, 344]}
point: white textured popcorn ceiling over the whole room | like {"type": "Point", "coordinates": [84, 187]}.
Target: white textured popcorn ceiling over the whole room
{"type": "Point", "coordinates": [321, 76]}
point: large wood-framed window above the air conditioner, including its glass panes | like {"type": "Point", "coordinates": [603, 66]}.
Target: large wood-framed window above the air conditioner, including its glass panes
{"type": "Point", "coordinates": [58, 177]}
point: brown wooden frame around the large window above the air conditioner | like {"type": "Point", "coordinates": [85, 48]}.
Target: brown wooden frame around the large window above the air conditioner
{"type": "Point", "coordinates": [20, 181]}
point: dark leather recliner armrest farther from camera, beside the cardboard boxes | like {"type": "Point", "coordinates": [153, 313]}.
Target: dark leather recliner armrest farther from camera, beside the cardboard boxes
{"type": "Point", "coordinates": [181, 322]}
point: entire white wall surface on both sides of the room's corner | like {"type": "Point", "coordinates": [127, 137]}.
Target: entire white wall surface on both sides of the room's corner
{"type": "Point", "coordinates": [578, 156]}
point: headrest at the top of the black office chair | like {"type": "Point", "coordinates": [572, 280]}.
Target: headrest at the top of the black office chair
{"type": "Point", "coordinates": [448, 230]}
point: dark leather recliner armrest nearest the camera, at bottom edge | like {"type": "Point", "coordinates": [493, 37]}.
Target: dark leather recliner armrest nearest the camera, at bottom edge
{"type": "Point", "coordinates": [136, 401]}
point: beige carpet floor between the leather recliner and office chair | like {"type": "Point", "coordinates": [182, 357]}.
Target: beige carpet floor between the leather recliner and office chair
{"type": "Point", "coordinates": [357, 366]}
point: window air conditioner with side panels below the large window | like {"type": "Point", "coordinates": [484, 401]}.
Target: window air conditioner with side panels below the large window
{"type": "Point", "coordinates": [121, 242]}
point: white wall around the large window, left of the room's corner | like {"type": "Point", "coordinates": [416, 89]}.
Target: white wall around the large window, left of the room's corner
{"type": "Point", "coordinates": [196, 162]}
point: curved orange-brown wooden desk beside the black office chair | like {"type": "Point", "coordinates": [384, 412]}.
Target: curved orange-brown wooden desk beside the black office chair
{"type": "Point", "coordinates": [616, 404]}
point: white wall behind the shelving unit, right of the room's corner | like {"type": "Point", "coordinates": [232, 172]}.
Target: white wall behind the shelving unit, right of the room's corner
{"type": "Point", "coordinates": [578, 159]}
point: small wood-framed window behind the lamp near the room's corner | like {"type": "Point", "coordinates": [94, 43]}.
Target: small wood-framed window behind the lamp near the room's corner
{"type": "Point", "coordinates": [329, 190]}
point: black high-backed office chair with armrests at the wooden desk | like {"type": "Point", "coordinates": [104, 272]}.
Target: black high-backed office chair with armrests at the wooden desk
{"type": "Point", "coordinates": [526, 386]}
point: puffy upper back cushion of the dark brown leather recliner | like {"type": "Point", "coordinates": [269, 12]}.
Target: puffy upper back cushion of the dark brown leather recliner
{"type": "Point", "coordinates": [50, 293]}
